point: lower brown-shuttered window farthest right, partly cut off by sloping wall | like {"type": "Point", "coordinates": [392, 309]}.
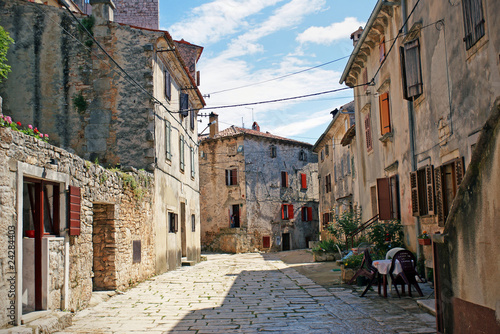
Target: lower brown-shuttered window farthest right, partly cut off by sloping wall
{"type": "Point", "coordinates": [447, 178]}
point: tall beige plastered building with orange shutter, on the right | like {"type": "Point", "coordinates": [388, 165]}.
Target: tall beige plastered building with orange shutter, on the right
{"type": "Point", "coordinates": [425, 76]}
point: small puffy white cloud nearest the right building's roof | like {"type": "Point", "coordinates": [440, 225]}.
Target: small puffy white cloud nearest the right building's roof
{"type": "Point", "coordinates": [331, 33]}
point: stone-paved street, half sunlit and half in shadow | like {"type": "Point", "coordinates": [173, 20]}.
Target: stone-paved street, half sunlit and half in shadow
{"type": "Point", "coordinates": [247, 293]}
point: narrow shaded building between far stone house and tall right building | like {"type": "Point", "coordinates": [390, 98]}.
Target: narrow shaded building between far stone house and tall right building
{"type": "Point", "coordinates": [335, 167]}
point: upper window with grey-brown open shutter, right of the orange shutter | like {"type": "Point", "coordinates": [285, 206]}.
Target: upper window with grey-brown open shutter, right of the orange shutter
{"type": "Point", "coordinates": [411, 70]}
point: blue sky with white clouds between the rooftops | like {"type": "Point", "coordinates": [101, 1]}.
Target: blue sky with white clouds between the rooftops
{"type": "Point", "coordinates": [250, 41]}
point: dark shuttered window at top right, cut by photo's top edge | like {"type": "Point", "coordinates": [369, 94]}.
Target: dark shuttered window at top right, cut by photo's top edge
{"type": "Point", "coordinates": [473, 21]}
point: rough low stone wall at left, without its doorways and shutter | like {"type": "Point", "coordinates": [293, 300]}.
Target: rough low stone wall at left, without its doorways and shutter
{"type": "Point", "coordinates": [130, 194]}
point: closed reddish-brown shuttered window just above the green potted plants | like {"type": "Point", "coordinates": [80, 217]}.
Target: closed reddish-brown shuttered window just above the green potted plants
{"type": "Point", "coordinates": [388, 198]}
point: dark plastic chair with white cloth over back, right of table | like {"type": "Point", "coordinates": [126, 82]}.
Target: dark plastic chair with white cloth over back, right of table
{"type": "Point", "coordinates": [408, 273]}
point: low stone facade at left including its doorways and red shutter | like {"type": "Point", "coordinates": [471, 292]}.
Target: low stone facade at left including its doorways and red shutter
{"type": "Point", "coordinates": [101, 239]}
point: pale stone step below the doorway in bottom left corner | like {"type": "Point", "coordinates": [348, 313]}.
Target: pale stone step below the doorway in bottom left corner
{"type": "Point", "coordinates": [41, 322]}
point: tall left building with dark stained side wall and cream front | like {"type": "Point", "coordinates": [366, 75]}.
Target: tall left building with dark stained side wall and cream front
{"type": "Point", "coordinates": [139, 112]}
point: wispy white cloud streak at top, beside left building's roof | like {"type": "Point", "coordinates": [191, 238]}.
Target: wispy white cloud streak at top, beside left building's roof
{"type": "Point", "coordinates": [213, 21]}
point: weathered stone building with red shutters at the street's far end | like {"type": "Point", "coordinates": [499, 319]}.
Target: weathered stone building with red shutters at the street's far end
{"type": "Point", "coordinates": [259, 192]}
